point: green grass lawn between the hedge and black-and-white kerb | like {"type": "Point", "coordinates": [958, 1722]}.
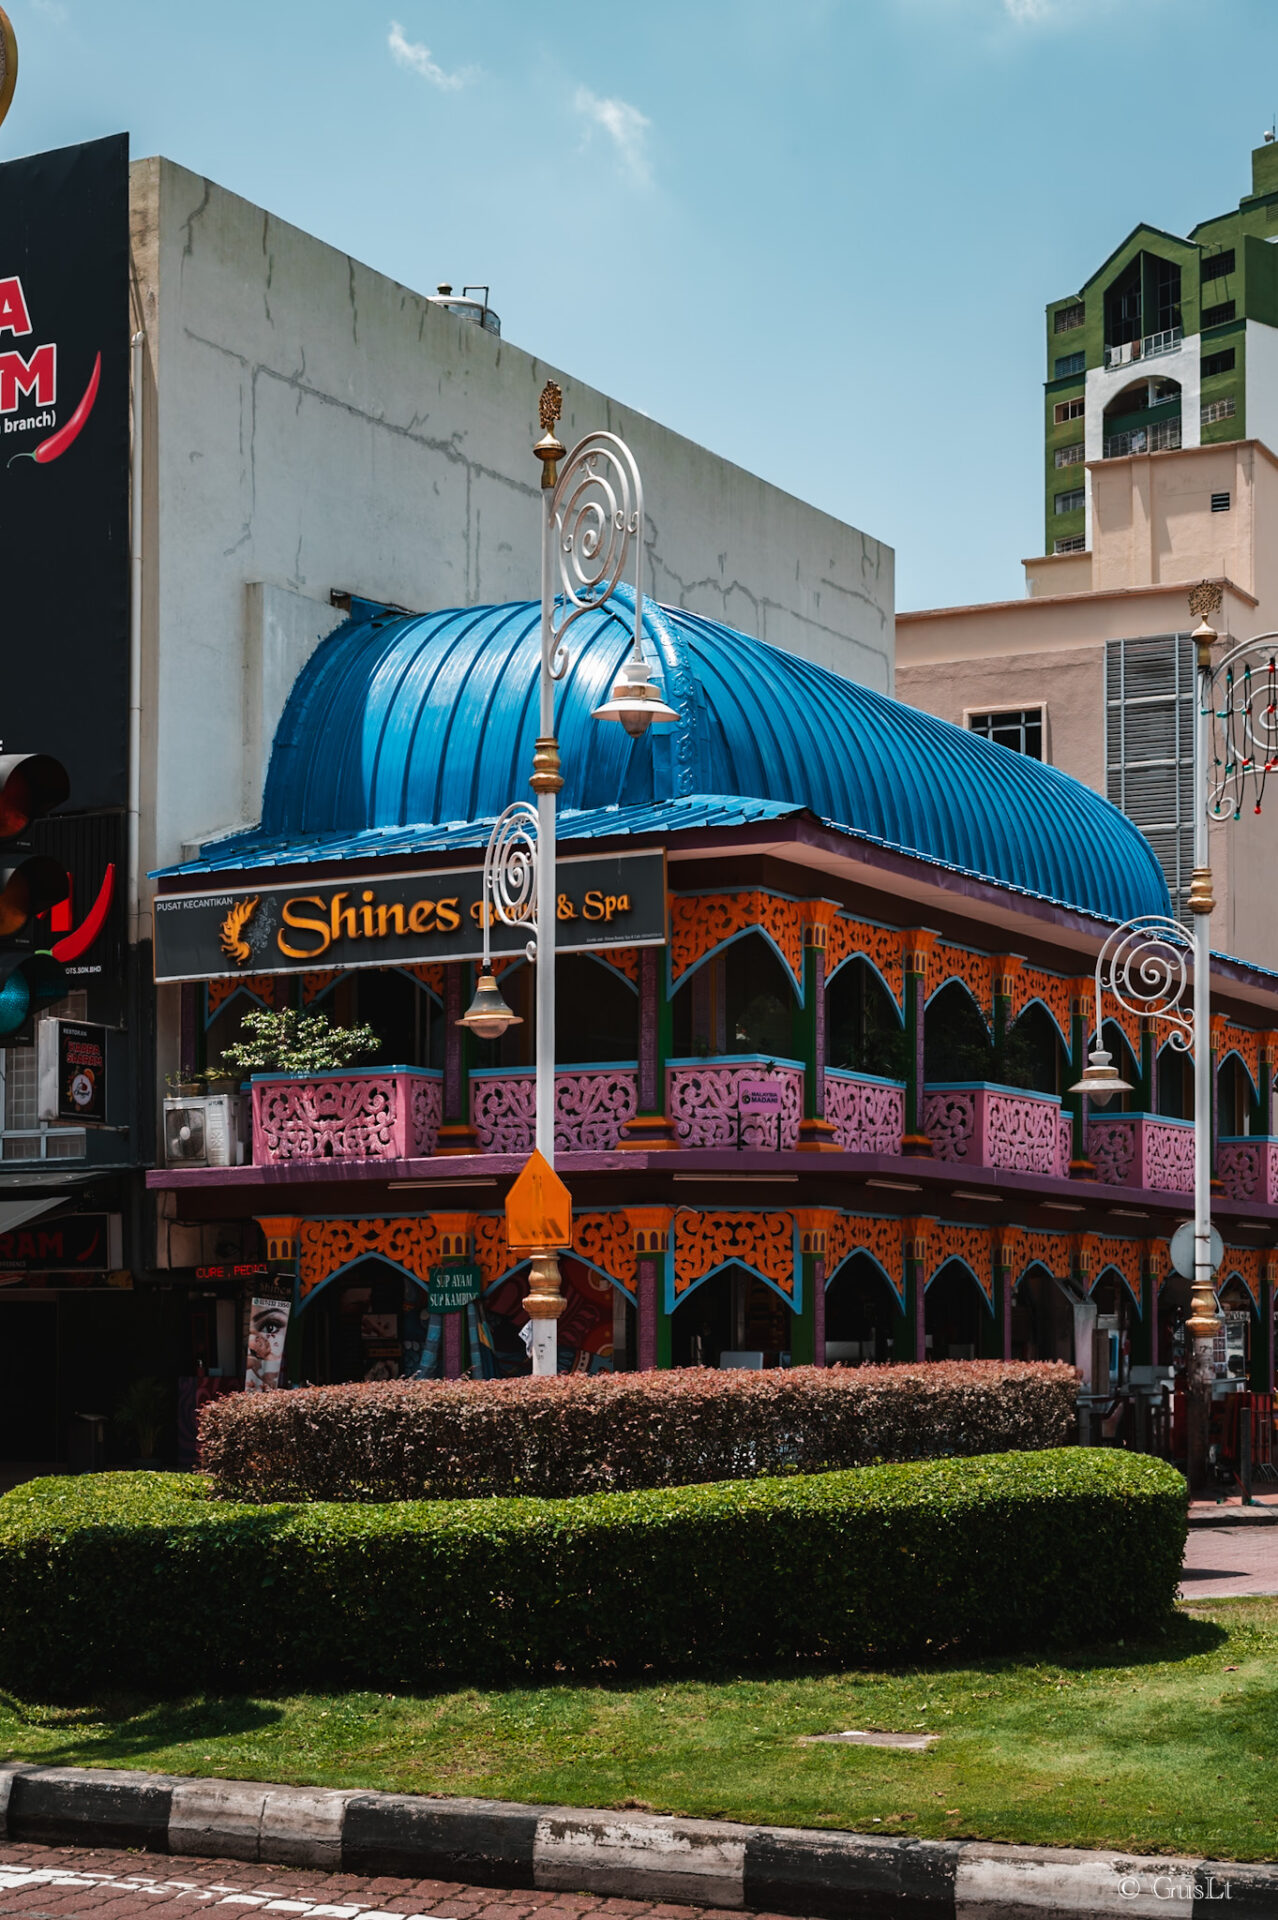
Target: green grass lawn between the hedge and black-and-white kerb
{"type": "Point", "coordinates": [1164, 1748]}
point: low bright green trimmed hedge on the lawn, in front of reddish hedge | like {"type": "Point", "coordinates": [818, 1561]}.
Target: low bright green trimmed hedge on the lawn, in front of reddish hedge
{"type": "Point", "coordinates": [147, 1581]}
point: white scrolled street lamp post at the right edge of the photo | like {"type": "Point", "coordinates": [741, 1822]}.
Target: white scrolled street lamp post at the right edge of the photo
{"type": "Point", "coordinates": [1145, 961]}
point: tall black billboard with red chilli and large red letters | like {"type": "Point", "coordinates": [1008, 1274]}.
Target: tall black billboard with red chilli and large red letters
{"type": "Point", "coordinates": [64, 462]}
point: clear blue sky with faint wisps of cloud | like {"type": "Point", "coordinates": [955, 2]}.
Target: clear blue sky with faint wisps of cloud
{"type": "Point", "coordinates": [813, 235]}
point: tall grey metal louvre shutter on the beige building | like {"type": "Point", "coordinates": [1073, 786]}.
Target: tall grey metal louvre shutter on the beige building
{"type": "Point", "coordinates": [1150, 746]}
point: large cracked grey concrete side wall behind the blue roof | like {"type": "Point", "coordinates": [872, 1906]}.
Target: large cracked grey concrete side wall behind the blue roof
{"type": "Point", "coordinates": [314, 427]}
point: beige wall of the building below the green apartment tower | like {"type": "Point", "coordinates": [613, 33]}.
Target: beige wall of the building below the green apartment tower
{"type": "Point", "coordinates": [1154, 539]}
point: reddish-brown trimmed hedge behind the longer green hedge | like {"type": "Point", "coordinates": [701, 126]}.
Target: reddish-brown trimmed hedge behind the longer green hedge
{"type": "Point", "coordinates": [617, 1433]}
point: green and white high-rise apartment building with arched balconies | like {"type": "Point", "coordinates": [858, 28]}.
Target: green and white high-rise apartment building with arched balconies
{"type": "Point", "coordinates": [1170, 345]}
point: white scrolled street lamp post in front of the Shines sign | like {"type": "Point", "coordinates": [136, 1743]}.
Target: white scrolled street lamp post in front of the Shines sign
{"type": "Point", "coordinates": [592, 523]}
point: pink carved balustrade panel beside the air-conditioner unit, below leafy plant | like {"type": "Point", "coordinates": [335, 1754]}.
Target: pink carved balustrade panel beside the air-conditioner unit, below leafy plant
{"type": "Point", "coordinates": [358, 1115]}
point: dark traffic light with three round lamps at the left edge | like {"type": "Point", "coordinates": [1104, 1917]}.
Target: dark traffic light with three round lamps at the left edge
{"type": "Point", "coordinates": [32, 786]}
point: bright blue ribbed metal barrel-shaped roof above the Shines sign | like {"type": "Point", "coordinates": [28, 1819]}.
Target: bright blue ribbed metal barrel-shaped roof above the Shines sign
{"type": "Point", "coordinates": [431, 719]}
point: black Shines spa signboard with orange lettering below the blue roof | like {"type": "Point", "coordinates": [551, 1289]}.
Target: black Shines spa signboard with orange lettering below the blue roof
{"type": "Point", "coordinates": [400, 921]}
